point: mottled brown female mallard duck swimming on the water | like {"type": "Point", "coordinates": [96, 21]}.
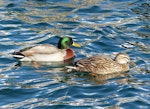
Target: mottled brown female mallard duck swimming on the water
{"type": "Point", "coordinates": [102, 64]}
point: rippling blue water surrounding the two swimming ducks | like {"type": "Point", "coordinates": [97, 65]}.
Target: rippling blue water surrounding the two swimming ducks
{"type": "Point", "coordinates": [101, 27]}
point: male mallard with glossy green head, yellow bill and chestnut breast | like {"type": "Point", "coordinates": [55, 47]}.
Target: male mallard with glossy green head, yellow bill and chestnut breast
{"type": "Point", "coordinates": [48, 52]}
